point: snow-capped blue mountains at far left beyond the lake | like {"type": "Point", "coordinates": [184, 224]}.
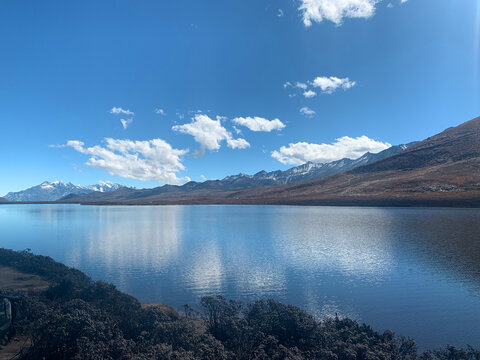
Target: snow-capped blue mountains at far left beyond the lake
{"type": "Point", "coordinates": [51, 191]}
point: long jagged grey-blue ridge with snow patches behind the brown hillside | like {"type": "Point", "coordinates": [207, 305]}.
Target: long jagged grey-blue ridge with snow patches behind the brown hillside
{"type": "Point", "coordinates": [238, 182]}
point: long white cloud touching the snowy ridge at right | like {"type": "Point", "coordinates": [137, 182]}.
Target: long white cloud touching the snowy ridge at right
{"type": "Point", "coordinates": [344, 147]}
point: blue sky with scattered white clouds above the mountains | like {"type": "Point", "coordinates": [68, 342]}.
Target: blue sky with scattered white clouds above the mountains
{"type": "Point", "coordinates": [230, 78]}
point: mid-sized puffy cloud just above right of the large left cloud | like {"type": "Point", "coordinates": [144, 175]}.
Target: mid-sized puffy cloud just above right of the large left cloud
{"type": "Point", "coordinates": [210, 133]}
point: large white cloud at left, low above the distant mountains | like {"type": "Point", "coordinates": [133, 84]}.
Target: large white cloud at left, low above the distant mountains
{"type": "Point", "coordinates": [142, 160]}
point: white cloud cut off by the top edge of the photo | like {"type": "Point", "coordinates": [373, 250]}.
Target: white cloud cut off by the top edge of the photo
{"type": "Point", "coordinates": [336, 10]}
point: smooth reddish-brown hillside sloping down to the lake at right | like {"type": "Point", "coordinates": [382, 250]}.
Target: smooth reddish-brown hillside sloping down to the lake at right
{"type": "Point", "coordinates": [442, 170]}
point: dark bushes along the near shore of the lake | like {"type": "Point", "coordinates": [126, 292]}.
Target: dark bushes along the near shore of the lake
{"type": "Point", "coordinates": [77, 318]}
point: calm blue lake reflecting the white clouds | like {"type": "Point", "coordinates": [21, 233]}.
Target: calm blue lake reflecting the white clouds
{"type": "Point", "coordinates": [414, 271]}
